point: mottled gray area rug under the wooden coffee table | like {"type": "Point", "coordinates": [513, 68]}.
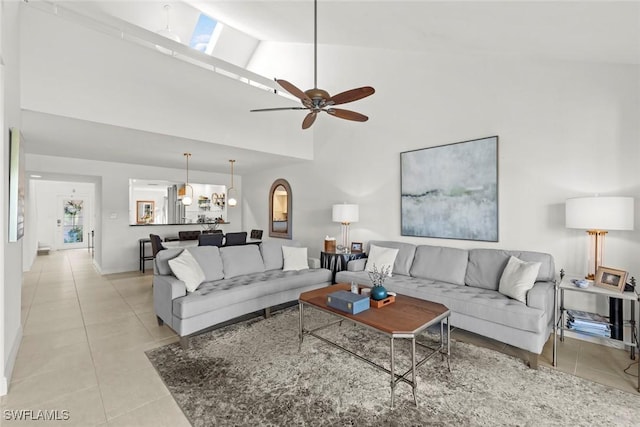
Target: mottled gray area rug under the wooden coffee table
{"type": "Point", "coordinates": [252, 374]}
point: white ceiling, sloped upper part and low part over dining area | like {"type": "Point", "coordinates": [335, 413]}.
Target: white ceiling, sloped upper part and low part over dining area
{"type": "Point", "coordinates": [604, 31]}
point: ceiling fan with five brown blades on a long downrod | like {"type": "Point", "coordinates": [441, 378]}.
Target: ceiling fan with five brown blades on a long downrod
{"type": "Point", "coordinates": [316, 100]}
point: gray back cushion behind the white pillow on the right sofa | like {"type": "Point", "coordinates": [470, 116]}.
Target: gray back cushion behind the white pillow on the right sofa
{"type": "Point", "coordinates": [486, 266]}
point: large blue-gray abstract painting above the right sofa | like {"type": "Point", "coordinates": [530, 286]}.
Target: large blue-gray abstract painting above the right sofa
{"type": "Point", "coordinates": [451, 191]}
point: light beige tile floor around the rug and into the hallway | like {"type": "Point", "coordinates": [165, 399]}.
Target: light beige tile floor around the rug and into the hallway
{"type": "Point", "coordinates": [85, 337]}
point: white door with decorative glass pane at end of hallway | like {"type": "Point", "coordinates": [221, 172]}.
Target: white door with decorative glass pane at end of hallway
{"type": "Point", "coordinates": [72, 222]}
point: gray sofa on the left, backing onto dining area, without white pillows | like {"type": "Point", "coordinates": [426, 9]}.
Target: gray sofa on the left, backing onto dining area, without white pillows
{"type": "Point", "coordinates": [238, 280]}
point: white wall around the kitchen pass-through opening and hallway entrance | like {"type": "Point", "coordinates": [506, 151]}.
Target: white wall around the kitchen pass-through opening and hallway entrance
{"type": "Point", "coordinates": [116, 241]}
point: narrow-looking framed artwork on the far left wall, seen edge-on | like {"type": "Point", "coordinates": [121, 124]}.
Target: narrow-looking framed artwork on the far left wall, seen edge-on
{"type": "Point", "coordinates": [16, 186]}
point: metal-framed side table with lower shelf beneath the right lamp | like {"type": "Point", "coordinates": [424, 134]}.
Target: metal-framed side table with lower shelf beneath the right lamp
{"type": "Point", "coordinates": [560, 325]}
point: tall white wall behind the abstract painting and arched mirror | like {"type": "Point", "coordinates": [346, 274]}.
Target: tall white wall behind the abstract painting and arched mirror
{"type": "Point", "coordinates": [566, 129]}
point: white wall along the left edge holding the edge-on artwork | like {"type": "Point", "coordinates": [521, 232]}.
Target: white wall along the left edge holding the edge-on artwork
{"type": "Point", "coordinates": [10, 253]}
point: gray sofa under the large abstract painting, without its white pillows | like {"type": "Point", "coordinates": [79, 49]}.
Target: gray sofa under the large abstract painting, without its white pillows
{"type": "Point", "coordinates": [467, 281]}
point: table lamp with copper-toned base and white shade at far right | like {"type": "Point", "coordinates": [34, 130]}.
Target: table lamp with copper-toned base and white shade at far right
{"type": "Point", "coordinates": [598, 215]}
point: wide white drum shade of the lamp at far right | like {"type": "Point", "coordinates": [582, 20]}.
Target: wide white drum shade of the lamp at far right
{"type": "Point", "coordinates": [599, 213]}
